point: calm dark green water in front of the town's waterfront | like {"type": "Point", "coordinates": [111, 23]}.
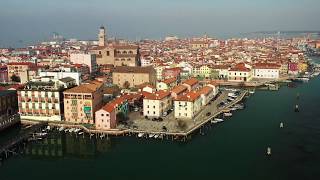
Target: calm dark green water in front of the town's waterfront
{"type": "Point", "coordinates": [235, 149]}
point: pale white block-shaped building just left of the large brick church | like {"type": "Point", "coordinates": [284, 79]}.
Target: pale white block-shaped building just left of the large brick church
{"type": "Point", "coordinates": [87, 59]}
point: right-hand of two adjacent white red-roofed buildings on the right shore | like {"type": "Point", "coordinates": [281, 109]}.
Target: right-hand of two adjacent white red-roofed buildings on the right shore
{"type": "Point", "coordinates": [266, 71]}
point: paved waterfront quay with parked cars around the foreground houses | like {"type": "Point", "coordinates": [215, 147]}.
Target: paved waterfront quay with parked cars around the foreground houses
{"type": "Point", "coordinates": [141, 125]}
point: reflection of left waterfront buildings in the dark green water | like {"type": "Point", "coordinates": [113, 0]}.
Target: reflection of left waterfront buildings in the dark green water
{"type": "Point", "coordinates": [61, 145]}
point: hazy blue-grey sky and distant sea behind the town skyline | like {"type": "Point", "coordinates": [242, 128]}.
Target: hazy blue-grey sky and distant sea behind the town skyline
{"type": "Point", "coordinates": [32, 20]}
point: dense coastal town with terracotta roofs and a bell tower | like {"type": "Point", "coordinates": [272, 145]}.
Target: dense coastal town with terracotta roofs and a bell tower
{"type": "Point", "coordinates": [148, 88]}
